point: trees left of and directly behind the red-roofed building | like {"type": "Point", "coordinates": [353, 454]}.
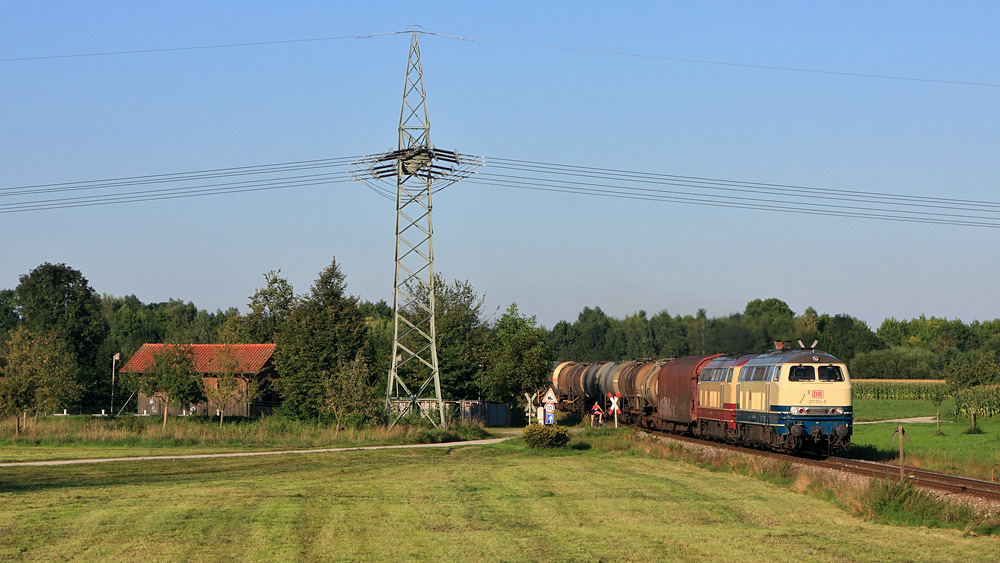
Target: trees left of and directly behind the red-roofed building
{"type": "Point", "coordinates": [54, 315]}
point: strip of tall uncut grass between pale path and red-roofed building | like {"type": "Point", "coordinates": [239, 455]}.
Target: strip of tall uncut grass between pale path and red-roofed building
{"type": "Point", "coordinates": [80, 437]}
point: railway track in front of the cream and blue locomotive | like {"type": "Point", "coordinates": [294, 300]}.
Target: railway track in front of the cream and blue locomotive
{"type": "Point", "coordinates": [931, 480]}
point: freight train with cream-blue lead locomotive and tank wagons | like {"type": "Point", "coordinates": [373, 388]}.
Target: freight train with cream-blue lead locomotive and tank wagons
{"type": "Point", "coordinates": [789, 400]}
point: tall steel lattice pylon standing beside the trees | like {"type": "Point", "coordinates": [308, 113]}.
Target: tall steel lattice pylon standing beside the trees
{"type": "Point", "coordinates": [419, 170]}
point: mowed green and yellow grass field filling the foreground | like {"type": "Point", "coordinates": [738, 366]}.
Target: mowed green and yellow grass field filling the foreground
{"type": "Point", "coordinates": [474, 503]}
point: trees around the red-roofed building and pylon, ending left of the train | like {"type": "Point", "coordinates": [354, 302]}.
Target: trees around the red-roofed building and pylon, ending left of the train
{"type": "Point", "coordinates": [57, 337]}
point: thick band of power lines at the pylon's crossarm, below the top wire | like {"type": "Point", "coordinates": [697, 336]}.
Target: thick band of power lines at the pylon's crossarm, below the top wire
{"type": "Point", "coordinates": [516, 174]}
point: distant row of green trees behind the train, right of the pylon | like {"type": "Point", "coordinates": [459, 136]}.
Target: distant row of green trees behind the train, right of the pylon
{"type": "Point", "coordinates": [922, 348]}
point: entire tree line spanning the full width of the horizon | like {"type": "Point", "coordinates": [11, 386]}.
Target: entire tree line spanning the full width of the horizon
{"type": "Point", "coordinates": [332, 344]}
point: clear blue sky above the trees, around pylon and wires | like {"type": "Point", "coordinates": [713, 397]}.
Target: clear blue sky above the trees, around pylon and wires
{"type": "Point", "coordinates": [73, 119]}
